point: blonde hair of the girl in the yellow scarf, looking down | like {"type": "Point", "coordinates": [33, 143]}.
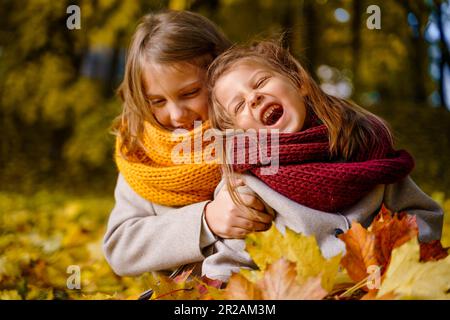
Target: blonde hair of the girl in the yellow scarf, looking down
{"type": "Point", "coordinates": [162, 38]}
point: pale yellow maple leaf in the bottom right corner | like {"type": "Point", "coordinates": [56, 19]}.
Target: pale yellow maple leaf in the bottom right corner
{"type": "Point", "coordinates": [411, 279]}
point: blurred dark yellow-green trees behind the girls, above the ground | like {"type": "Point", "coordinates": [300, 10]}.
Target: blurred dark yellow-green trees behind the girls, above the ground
{"type": "Point", "coordinates": [55, 115]}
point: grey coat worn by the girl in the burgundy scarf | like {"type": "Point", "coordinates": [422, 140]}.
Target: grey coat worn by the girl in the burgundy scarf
{"type": "Point", "coordinates": [229, 254]}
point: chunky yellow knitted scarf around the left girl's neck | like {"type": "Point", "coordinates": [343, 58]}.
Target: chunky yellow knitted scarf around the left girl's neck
{"type": "Point", "coordinates": [154, 176]}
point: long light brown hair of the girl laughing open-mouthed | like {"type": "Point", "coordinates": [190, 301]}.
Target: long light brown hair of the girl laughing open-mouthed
{"type": "Point", "coordinates": [351, 128]}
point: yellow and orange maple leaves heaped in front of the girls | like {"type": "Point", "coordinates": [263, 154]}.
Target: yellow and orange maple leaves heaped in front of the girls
{"type": "Point", "coordinates": [384, 261]}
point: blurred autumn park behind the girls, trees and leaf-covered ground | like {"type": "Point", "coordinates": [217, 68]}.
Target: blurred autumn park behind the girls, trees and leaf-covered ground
{"type": "Point", "coordinates": [57, 101]}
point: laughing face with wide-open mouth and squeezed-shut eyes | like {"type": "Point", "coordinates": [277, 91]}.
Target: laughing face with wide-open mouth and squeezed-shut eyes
{"type": "Point", "coordinates": [257, 97]}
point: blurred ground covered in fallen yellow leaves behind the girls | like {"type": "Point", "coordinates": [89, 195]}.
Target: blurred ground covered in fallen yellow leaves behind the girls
{"type": "Point", "coordinates": [42, 235]}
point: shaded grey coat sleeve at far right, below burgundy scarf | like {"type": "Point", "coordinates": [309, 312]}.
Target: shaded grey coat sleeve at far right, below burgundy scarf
{"type": "Point", "coordinates": [407, 196]}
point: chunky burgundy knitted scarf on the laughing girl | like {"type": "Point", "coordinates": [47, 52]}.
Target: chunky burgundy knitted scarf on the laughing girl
{"type": "Point", "coordinates": [307, 176]}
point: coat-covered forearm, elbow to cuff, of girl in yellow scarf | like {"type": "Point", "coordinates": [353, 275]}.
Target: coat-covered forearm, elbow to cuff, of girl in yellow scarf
{"type": "Point", "coordinates": [151, 243]}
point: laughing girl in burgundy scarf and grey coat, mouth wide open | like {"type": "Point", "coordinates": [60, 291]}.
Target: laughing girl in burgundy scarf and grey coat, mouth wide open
{"type": "Point", "coordinates": [337, 162]}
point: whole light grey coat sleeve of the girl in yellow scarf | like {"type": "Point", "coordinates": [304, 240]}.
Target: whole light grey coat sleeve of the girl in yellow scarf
{"type": "Point", "coordinates": [143, 237]}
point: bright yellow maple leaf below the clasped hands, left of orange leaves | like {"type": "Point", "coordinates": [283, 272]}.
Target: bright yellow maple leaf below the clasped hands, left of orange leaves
{"type": "Point", "coordinates": [268, 247]}
